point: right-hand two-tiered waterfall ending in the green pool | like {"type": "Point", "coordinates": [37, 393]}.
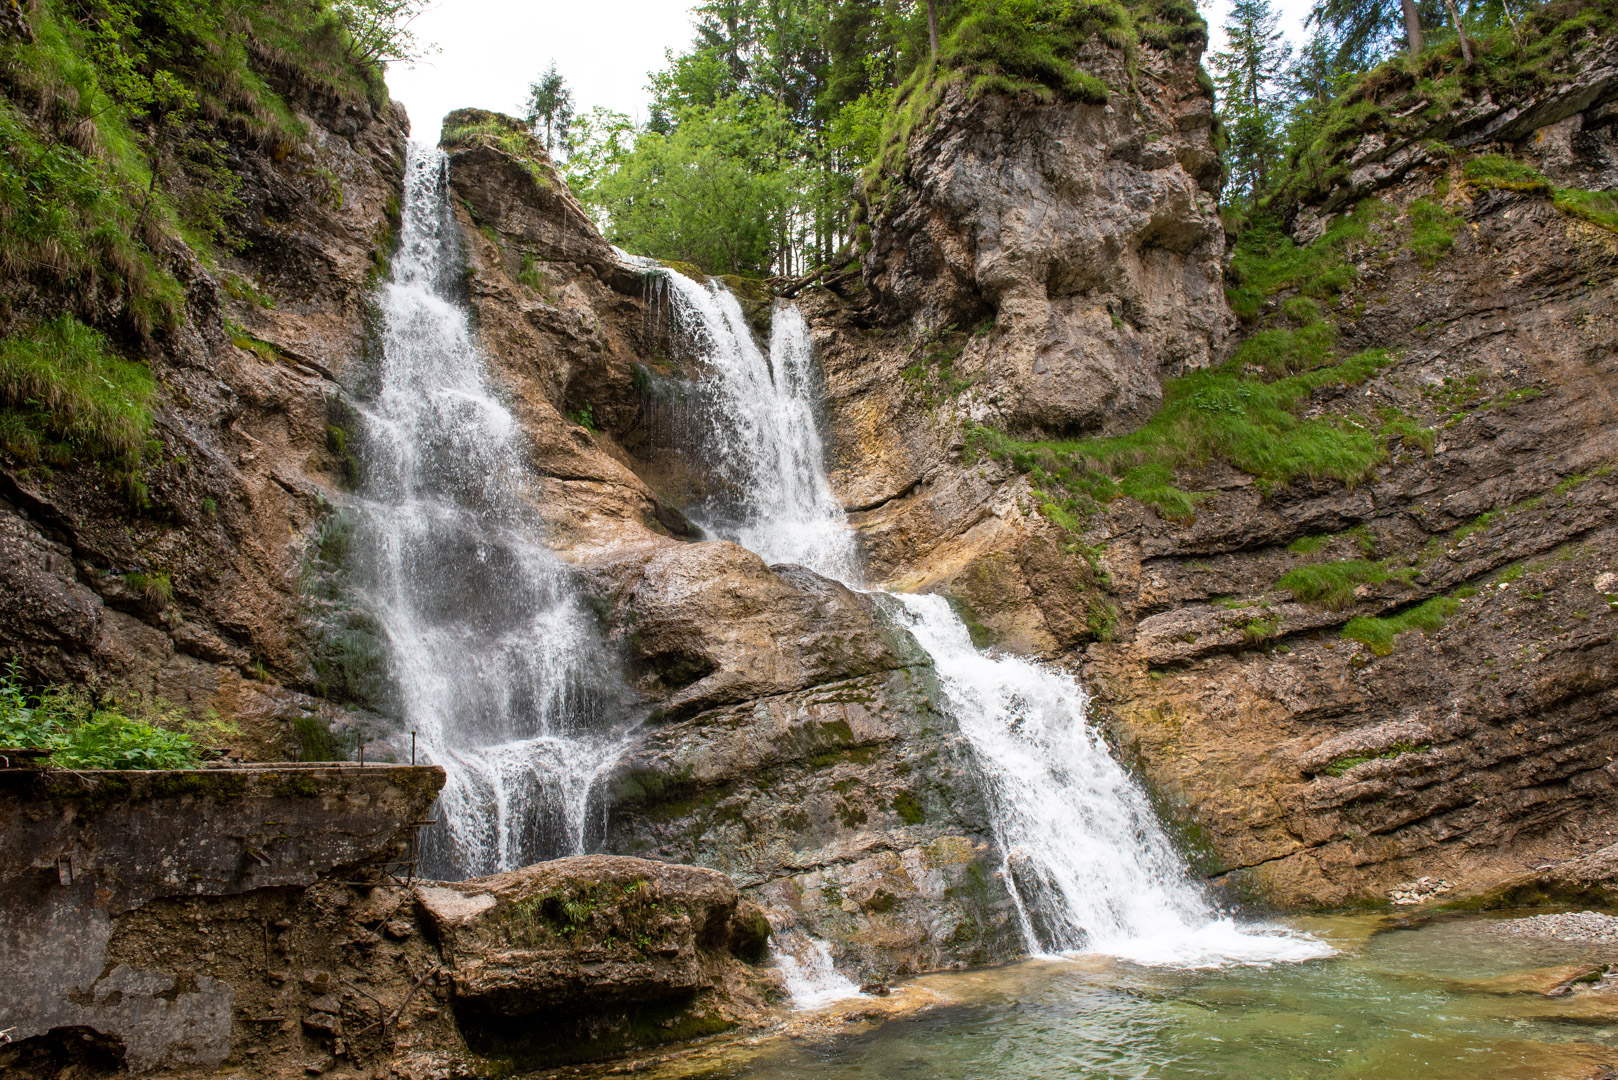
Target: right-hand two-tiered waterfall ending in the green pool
{"type": "Point", "coordinates": [1086, 861]}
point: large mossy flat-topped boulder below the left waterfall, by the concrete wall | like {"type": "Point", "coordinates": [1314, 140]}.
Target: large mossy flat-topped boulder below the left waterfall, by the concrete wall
{"type": "Point", "coordinates": [611, 953]}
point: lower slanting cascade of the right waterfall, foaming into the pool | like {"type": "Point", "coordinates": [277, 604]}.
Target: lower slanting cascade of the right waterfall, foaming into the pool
{"type": "Point", "coordinates": [1086, 857]}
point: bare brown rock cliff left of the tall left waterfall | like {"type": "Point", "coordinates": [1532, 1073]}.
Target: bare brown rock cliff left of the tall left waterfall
{"type": "Point", "coordinates": [247, 467]}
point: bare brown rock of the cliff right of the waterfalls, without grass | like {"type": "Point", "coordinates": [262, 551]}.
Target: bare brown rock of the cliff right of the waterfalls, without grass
{"type": "Point", "coordinates": [1302, 767]}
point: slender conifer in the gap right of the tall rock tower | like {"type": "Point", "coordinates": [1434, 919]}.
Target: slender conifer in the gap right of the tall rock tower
{"type": "Point", "coordinates": [1245, 75]}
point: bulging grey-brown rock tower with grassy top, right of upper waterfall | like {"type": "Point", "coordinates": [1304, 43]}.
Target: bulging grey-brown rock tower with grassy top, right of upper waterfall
{"type": "Point", "coordinates": [1088, 236]}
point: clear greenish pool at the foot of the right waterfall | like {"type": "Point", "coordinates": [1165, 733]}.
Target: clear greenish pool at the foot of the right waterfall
{"type": "Point", "coordinates": [1451, 1000]}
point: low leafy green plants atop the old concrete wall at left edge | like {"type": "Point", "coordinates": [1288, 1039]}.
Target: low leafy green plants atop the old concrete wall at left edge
{"type": "Point", "coordinates": [88, 731]}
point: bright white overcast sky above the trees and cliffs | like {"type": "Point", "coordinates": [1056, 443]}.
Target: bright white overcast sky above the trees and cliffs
{"type": "Point", "coordinates": [493, 49]}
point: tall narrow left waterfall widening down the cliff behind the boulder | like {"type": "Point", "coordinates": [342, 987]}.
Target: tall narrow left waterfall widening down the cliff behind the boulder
{"type": "Point", "coordinates": [501, 670]}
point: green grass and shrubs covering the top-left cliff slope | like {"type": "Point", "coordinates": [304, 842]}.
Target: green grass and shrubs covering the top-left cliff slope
{"type": "Point", "coordinates": [116, 129]}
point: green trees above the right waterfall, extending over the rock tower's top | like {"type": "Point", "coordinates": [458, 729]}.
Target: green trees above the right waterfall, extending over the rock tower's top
{"type": "Point", "coordinates": [763, 134]}
